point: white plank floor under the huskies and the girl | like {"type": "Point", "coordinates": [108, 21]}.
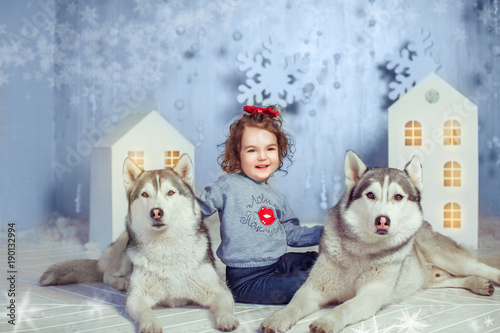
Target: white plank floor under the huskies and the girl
{"type": "Point", "coordinates": [99, 308]}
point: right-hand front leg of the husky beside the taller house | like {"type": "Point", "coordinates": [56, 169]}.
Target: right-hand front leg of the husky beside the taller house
{"type": "Point", "coordinates": [368, 300]}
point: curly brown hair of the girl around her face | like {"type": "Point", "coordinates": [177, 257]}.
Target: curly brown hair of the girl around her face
{"type": "Point", "coordinates": [229, 160]}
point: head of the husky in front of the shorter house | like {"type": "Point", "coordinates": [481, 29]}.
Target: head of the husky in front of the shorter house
{"type": "Point", "coordinates": [159, 199]}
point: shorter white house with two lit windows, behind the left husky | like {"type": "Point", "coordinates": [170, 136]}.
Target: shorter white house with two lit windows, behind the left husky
{"type": "Point", "coordinates": [153, 143]}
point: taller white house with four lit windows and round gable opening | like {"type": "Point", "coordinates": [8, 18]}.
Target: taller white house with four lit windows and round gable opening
{"type": "Point", "coordinates": [439, 125]}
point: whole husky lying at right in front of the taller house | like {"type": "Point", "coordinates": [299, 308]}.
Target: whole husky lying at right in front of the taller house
{"type": "Point", "coordinates": [375, 250]}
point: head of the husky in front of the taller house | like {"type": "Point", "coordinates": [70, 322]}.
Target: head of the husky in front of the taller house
{"type": "Point", "coordinates": [382, 204]}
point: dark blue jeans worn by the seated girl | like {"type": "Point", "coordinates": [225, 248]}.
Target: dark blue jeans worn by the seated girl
{"type": "Point", "coordinates": [274, 284]}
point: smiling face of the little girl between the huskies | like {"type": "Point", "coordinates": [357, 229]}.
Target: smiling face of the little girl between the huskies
{"type": "Point", "coordinates": [259, 155]}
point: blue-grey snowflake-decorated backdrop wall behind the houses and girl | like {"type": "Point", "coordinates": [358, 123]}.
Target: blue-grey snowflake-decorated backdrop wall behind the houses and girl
{"type": "Point", "coordinates": [68, 65]}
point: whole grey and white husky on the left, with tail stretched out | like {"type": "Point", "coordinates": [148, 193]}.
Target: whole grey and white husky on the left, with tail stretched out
{"type": "Point", "coordinates": [164, 257]}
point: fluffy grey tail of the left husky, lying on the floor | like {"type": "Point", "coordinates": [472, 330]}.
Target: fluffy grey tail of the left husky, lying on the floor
{"type": "Point", "coordinates": [72, 271]}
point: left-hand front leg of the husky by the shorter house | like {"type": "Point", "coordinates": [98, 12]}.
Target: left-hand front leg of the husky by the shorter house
{"type": "Point", "coordinates": [140, 310]}
